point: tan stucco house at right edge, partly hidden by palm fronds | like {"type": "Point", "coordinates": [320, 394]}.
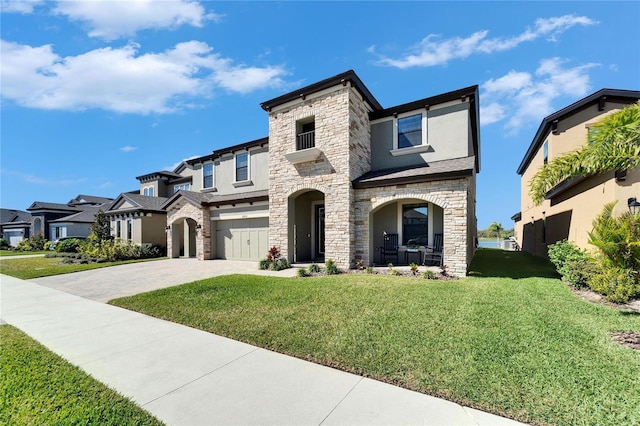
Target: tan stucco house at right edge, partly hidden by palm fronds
{"type": "Point", "coordinates": [569, 209]}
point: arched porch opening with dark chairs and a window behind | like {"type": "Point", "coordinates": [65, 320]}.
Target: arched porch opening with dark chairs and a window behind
{"type": "Point", "coordinates": [416, 222]}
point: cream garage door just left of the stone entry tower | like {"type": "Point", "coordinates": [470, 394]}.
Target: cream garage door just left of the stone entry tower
{"type": "Point", "coordinates": [242, 239]}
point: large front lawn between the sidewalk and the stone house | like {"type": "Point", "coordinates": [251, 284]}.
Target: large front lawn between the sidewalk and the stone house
{"type": "Point", "coordinates": [510, 339]}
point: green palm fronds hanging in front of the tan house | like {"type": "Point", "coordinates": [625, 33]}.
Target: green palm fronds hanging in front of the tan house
{"type": "Point", "coordinates": [614, 144]}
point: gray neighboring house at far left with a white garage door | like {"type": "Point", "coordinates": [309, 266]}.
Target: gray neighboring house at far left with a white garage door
{"type": "Point", "coordinates": [73, 219]}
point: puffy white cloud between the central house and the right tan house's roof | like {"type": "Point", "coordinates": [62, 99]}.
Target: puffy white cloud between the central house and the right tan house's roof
{"type": "Point", "coordinates": [528, 97]}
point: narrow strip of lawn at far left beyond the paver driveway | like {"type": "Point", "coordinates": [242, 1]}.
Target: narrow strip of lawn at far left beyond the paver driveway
{"type": "Point", "coordinates": [36, 267]}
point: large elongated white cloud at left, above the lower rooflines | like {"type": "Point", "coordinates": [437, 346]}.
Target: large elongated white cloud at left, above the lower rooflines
{"type": "Point", "coordinates": [121, 80]}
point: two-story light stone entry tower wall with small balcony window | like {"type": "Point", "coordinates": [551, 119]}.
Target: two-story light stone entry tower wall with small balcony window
{"type": "Point", "coordinates": [342, 134]}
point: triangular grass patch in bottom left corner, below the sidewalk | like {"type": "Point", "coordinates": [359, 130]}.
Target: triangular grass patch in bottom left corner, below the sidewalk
{"type": "Point", "coordinates": [40, 388]}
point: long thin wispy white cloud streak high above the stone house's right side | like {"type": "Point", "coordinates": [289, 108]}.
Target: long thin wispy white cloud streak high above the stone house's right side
{"type": "Point", "coordinates": [433, 50]}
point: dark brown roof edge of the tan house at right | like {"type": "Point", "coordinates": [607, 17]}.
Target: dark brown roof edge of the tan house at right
{"type": "Point", "coordinates": [602, 95]}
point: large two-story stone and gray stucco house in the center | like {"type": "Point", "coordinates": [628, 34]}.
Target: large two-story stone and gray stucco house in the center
{"type": "Point", "coordinates": [336, 173]}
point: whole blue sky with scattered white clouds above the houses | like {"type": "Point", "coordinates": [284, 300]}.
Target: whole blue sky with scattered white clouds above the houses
{"type": "Point", "coordinates": [96, 93]}
